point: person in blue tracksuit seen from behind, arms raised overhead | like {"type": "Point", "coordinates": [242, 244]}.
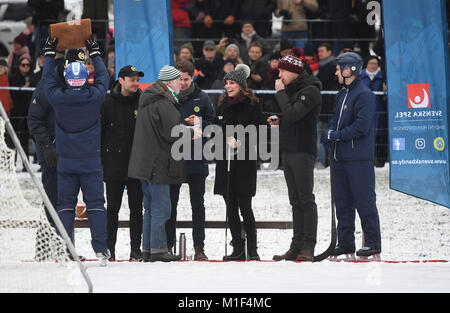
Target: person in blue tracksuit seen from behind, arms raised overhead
{"type": "Point", "coordinates": [78, 138]}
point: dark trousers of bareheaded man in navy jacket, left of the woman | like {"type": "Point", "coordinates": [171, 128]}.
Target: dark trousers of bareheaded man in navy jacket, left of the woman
{"type": "Point", "coordinates": [196, 184]}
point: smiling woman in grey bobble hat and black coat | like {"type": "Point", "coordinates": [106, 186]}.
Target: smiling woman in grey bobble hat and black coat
{"type": "Point", "coordinates": [239, 106]}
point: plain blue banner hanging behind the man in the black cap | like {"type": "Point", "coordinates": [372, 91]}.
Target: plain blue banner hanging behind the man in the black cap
{"type": "Point", "coordinates": [143, 36]}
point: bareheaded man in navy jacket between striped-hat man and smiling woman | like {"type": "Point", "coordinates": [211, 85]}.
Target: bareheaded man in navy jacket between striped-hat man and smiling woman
{"type": "Point", "coordinates": [195, 105]}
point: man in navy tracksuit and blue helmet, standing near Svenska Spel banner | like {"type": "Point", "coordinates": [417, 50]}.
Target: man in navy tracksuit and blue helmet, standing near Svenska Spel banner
{"type": "Point", "coordinates": [351, 139]}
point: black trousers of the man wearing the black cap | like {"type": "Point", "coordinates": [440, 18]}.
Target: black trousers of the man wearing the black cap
{"type": "Point", "coordinates": [114, 193]}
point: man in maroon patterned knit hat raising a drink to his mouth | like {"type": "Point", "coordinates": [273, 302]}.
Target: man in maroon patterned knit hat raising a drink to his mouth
{"type": "Point", "coordinates": [298, 96]}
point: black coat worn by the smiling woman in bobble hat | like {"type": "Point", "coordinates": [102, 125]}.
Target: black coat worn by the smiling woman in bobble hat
{"type": "Point", "coordinates": [242, 172]}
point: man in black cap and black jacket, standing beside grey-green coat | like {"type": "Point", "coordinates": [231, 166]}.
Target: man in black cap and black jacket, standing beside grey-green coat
{"type": "Point", "coordinates": [118, 122]}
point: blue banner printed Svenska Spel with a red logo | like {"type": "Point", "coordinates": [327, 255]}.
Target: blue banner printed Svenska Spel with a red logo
{"type": "Point", "coordinates": [418, 79]}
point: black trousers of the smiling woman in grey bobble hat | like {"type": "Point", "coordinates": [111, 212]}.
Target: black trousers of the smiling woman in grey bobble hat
{"type": "Point", "coordinates": [242, 204]}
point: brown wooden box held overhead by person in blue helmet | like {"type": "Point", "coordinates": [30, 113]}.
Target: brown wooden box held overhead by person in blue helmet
{"type": "Point", "coordinates": [72, 34]}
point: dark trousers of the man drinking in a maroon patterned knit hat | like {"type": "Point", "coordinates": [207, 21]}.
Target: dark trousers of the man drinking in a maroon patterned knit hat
{"type": "Point", "coordinates": [299, 174]}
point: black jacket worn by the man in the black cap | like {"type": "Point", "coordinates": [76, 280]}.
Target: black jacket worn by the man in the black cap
{"type": "Point", "coordinates": [118, 115]}
